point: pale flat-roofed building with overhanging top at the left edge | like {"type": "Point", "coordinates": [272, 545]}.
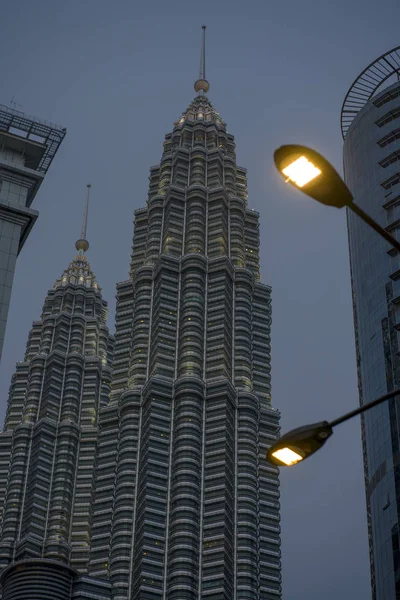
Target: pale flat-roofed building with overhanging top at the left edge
{"type": "Point", "coordinates": [27, 147]}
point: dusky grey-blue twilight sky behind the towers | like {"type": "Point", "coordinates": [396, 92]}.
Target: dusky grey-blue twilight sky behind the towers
{"type": "Point", "coordinates": [117, 75]}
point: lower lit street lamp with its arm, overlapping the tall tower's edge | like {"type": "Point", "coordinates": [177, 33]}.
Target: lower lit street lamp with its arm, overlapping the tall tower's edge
{"type": "Point", "coordinates": [298, 444]}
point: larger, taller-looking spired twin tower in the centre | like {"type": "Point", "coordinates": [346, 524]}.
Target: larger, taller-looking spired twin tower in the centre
{"type": "Point", "coordinates": [186, 506]}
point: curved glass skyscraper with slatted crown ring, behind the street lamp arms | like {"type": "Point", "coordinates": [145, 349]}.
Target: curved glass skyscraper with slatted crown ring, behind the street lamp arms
{"type": "Point", "coordinates": [371, 131]}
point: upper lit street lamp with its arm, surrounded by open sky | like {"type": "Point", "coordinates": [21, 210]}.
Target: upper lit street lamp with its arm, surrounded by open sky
{"type": "Point", "coordinates": [312, 174]}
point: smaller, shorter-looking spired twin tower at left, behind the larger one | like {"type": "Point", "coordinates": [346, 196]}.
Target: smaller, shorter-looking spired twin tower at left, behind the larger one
{"type": "Point", "coordinates": [48, 446]}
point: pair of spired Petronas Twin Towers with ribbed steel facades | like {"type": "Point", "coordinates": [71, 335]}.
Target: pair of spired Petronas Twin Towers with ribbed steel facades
{"type": "Point", "coordinates": [133, 467]}
